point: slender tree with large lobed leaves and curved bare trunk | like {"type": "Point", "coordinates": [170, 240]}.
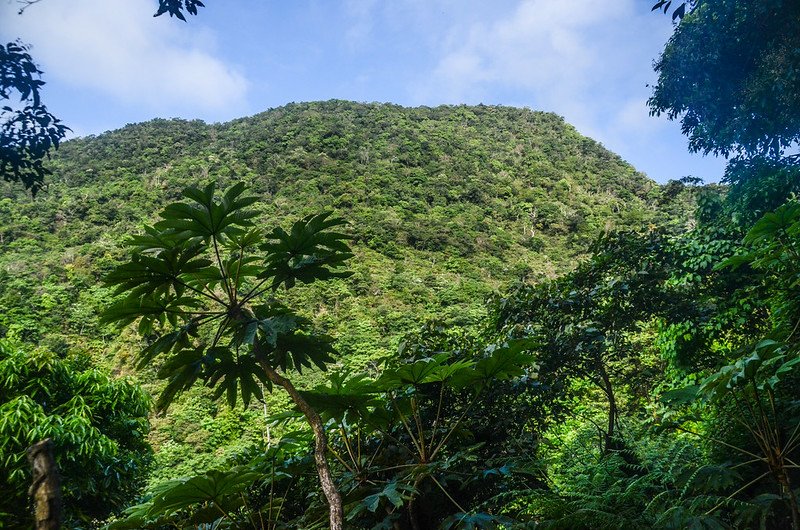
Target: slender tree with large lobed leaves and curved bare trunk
{"type": "Point", "coordinates": [197, 285]}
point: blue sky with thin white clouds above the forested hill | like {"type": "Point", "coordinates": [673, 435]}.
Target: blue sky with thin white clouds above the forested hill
{"type": "Point", "coordinates": [109, 62]}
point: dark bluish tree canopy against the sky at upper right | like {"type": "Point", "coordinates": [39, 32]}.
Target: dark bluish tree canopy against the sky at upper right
{"type": "Point", "coordinates": [729, 72]}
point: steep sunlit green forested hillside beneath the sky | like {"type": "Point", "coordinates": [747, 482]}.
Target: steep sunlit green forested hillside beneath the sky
{"type": "Point", "coordinates": [446, 205]}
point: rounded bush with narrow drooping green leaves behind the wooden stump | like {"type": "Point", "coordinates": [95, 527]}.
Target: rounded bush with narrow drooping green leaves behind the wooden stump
{"type": "Point", "coordinates": [98, 425]}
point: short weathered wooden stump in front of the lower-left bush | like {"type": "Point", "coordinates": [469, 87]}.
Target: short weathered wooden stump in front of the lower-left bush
{"type": "Point", "coordinates": [45, 487]}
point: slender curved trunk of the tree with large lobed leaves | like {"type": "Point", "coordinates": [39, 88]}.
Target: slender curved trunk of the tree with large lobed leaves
{"type": "Point", "coordinates": [320, 447]}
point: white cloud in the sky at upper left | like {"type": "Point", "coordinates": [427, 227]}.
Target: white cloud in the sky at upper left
{"type": "Point", "coordinates": [117, 48]}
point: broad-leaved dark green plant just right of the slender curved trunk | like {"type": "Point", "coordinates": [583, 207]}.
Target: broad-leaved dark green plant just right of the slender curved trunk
{"type": "Point", "coordinates": [408, 433]}
